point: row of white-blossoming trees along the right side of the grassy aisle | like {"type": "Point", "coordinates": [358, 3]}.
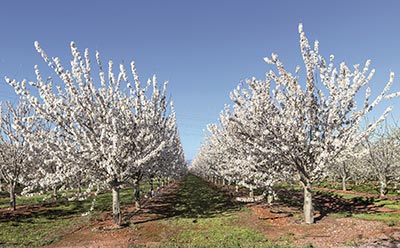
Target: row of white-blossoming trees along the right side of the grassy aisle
{"type": "Point", "coordinates": [280, 129]}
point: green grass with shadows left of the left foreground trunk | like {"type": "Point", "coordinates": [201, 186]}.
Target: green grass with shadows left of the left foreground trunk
{"type": "Point", "coordinates": [50, 223]}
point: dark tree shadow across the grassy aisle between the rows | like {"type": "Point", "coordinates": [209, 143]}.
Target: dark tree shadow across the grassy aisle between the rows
{"type": "Point", "coordinates": [193, 198]}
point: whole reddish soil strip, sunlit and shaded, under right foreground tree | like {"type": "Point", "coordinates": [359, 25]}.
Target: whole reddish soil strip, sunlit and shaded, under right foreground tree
{"type": "Point", "coordinates": [282, 221]}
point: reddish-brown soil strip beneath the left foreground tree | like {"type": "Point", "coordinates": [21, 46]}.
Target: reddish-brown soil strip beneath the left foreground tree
{"type": "Point", "coordinates": [142, 227]}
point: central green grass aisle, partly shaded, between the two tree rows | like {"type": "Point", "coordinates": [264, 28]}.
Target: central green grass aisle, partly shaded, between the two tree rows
{"type": "Point", "coordinates": [206, 217]}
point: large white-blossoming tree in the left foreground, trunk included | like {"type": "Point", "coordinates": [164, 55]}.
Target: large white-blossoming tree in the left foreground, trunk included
{"type": "Point", "coordinates": [111, 128]}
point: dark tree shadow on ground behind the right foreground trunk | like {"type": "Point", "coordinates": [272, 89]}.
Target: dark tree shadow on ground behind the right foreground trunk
{"type": "Point", "coordinates": [327, 203]}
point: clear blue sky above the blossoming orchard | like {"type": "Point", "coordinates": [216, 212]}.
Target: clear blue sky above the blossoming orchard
{"type": "Point", "coordinates": [203, 48]}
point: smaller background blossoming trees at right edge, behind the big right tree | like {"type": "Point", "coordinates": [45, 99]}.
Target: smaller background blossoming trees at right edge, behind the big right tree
{"type": "Point", "coordinates": [375, 159]}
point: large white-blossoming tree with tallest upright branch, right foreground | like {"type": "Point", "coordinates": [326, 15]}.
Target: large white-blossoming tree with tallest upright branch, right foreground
{"type": "Point", "coordinates": [305, 124]}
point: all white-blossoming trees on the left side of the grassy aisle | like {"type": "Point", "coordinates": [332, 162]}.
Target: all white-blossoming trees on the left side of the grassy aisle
{"type": "Point", "coordinates": [77, 131]}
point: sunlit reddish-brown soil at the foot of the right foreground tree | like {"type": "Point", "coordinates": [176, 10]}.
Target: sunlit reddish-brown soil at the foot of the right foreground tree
{"type": "Point", "coordinates": [285, 227]}
